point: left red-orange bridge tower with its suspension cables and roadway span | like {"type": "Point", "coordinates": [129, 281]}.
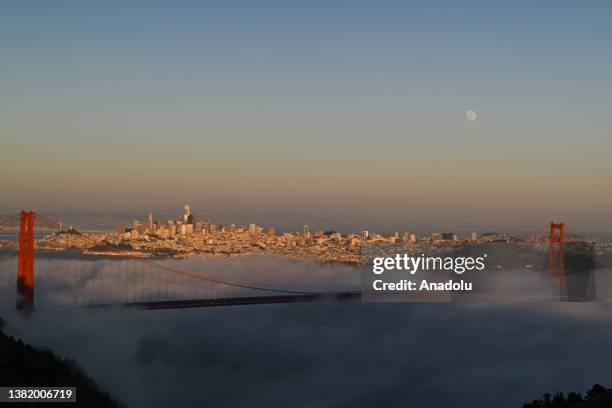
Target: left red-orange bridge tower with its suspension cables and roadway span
{"type": "Point", "coordinates": [130, 281]}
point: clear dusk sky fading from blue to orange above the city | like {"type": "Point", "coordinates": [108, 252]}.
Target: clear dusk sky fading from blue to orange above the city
{"type": "Point", "coordinates": [347, 112]}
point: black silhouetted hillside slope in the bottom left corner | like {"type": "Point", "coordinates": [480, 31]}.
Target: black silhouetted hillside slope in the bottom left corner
{"type": "Point", "coordinates": [24, 365]}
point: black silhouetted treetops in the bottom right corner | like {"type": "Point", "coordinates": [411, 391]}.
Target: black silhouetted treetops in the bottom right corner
{"type": "Point", "coordinates": [598, 396]}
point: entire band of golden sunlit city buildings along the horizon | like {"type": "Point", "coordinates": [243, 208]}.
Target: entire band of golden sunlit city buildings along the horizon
{"type": "Point", "coordinates": [188, 234]}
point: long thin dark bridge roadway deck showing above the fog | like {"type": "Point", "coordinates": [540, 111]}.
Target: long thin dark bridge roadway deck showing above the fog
{"type": "Point", "coordinates": [235, 301]}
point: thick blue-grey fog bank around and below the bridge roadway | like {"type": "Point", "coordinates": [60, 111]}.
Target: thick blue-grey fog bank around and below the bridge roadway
{"type": "Point", "coordinates": [328, 353]}
